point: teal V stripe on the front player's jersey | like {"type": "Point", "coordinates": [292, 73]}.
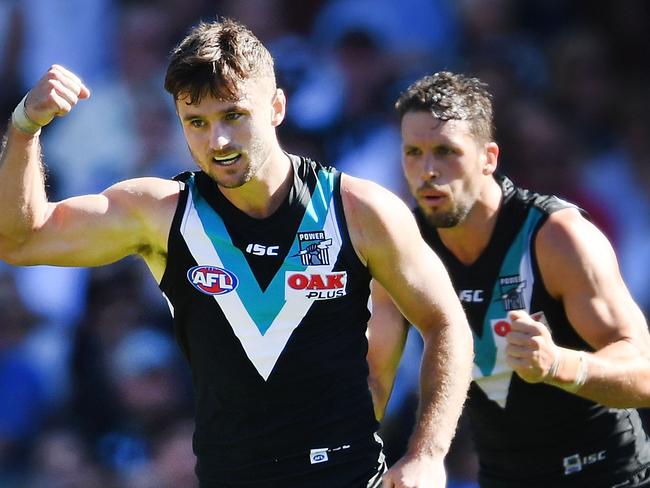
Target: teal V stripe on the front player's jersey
{"type": "Point", "coordinates": [263, 306]}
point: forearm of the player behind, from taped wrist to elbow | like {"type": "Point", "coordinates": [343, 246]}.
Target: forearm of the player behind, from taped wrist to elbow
{"type": "Point", "coordinates": [617, 376]}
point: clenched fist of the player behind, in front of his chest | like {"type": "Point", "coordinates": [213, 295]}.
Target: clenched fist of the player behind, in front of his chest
{"type": "Point", "coordinates": [531, 352]}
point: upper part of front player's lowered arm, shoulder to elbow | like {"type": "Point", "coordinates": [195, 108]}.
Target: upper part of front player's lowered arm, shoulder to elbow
{"type": "Point", "coordinates": [387, 239]}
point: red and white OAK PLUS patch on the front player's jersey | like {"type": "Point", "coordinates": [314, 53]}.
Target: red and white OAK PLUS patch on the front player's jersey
{"type": "Point", "coordinates": [315, 286]}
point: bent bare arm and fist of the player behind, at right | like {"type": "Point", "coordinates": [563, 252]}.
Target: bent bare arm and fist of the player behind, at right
{"type": "Point", "coordinates": [580, 268]}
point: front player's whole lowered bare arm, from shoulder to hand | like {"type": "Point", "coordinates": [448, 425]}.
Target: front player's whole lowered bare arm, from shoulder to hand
{"type": "Point", "coordinates": [386, 237]}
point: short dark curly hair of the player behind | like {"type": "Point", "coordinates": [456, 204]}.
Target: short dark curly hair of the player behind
{"type": "Point", "coordinates": [451, 96]}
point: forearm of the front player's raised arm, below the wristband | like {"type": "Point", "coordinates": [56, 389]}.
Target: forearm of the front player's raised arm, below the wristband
{"type": "Point", "coordinates": [22, 191]}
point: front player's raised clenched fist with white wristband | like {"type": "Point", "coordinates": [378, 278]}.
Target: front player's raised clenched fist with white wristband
{"type": "Point", "coordinates": [53, 95]}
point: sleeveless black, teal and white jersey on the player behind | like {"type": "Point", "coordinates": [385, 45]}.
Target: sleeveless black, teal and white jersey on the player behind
{"type": "Point", "coordinates": [532, 435]}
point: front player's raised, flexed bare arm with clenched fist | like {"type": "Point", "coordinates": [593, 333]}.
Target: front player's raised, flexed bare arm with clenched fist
{"type": "Point", "coordinates": [130, 217]}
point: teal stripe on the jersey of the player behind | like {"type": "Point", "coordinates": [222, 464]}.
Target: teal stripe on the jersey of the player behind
{"type": "Point", "coordinates": [485, 351]}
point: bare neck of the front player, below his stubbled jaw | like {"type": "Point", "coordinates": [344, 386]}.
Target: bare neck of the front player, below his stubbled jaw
{"type": "Point", "coordinates": [264, 193]}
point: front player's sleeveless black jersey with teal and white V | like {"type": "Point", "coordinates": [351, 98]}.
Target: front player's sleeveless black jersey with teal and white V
{"type": "Point", "coordinates": [271, 315]}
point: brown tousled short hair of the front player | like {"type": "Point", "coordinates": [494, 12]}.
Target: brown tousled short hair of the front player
{"type": "Point", "coordinates": [215, 58]}
